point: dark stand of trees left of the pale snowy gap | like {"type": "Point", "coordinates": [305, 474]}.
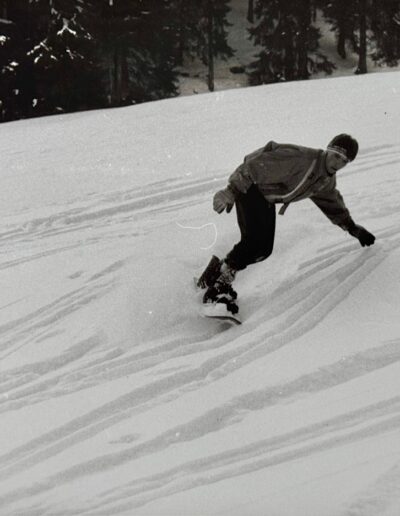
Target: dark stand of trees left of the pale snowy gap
{"type": "Point", "coordinates": [67, 55]}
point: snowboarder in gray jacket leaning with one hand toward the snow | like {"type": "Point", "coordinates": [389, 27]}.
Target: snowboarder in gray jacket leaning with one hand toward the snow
{"type": "Point", "coordinates": [278, 173]}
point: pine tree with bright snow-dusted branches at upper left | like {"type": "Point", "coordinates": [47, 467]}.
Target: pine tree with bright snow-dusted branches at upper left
{"type": "Point", "coordinates": [63, 59]}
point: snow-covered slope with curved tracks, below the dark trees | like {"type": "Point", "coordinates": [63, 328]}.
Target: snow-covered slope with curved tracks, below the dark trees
{"type": "Point", "coordinates": [116, 397]}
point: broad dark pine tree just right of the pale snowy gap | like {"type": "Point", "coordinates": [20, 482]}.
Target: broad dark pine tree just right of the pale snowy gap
{"type": "Point", "coordinates": [290, 41]}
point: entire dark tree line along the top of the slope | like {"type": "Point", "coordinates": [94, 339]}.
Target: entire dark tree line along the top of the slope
{"type": "Point", "coordinates": [68, 55]}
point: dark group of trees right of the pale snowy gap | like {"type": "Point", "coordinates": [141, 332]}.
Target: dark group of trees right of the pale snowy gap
{"type": "Point", "coordinates": [290, 39]}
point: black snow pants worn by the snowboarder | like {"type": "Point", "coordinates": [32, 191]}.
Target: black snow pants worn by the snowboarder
{"type": "Point", "coordinates": [256, 218]}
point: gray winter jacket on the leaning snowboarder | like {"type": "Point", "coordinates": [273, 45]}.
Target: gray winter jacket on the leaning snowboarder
{"type": "Point", "coordinates": [287, 173]}
